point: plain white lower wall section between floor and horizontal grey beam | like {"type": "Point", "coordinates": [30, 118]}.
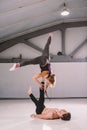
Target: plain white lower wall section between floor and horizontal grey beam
{"type": "Point", "coordinates": [71, 80]}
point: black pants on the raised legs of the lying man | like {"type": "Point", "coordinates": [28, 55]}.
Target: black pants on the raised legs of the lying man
{"type": "Point", "coordinates": [39, 103]}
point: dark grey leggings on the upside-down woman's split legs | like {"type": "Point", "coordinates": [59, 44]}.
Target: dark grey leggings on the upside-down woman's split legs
{"type": "Point", "coordinates": [41, 60]}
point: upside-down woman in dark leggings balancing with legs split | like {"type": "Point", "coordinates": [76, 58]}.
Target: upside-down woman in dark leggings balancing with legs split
{"type": "Point", "coordinates": [44, 64]}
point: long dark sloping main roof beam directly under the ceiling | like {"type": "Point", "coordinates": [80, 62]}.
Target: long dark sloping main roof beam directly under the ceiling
{"type": "Point", "coordinates": [47, 30]}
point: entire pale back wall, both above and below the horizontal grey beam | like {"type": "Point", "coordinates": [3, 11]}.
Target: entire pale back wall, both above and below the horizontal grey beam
{"type": "Point", "coordinates": [71, 77]}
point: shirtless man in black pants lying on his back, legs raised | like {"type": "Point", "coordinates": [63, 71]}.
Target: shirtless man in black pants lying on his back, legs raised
{"type": "Point", "coordinates": [47, 113]}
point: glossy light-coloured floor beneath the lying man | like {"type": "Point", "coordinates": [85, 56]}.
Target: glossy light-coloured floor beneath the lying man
{"type": "Point", "coordinates": [15, 115]}
